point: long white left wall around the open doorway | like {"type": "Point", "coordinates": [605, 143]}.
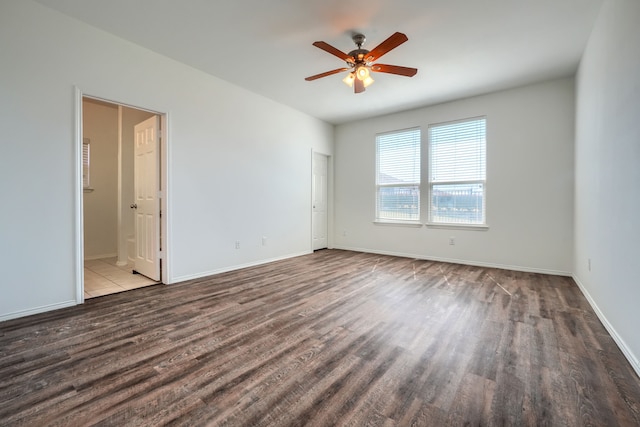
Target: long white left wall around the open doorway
{"type": "Point", "coordinates": [240, 164]}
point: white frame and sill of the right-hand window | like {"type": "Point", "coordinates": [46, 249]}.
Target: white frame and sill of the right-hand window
{"type": "Point", "coordinates": [431, 183]}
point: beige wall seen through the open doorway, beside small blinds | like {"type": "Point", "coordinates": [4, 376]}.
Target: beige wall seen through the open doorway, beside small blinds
{"type": "Point", "coordinates": [100, 125]}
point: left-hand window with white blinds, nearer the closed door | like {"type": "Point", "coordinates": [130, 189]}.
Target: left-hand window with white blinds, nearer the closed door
{"type": "Point", "coordinates": [398, 176]}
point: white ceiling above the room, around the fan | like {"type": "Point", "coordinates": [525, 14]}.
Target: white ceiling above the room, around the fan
{"type": "Point", "coordinates": [461, 47]}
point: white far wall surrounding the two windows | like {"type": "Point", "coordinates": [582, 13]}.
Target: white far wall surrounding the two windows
{"type": "Point", "coordinates": [529, 182]}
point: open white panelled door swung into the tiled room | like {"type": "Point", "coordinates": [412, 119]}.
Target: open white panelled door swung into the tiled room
{"type": "Point", "coordinates": [147, 204]}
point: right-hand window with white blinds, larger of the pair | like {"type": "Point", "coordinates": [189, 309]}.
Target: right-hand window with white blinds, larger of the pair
{"type": "Point", "coordinates": [457, 172]}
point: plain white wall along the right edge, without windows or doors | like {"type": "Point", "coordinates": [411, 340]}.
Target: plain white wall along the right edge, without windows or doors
{"type": "Point", "coordinates": [607, 158]}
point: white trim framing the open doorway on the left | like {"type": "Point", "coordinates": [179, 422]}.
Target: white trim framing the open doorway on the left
{"type": "Point", "coordinates": [165, 156]}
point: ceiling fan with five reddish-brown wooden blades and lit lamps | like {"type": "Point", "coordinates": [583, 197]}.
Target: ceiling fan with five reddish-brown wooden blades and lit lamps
{"type": "Point", "coordinates": [360, 60]}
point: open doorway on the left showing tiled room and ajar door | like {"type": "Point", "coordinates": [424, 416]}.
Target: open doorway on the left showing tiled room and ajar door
{"type": "Point", "coordinates": [119, 173]}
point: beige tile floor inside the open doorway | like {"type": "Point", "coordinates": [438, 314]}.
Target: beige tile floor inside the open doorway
{"type": "Point", "coordinates": [104, 277]}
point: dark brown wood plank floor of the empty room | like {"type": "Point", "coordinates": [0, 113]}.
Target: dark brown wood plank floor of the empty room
{"type": "Point", "coordinates": [332, 338]}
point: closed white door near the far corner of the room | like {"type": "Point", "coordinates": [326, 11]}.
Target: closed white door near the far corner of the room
{"type": "Point", "coordinates": [319, 197]}
